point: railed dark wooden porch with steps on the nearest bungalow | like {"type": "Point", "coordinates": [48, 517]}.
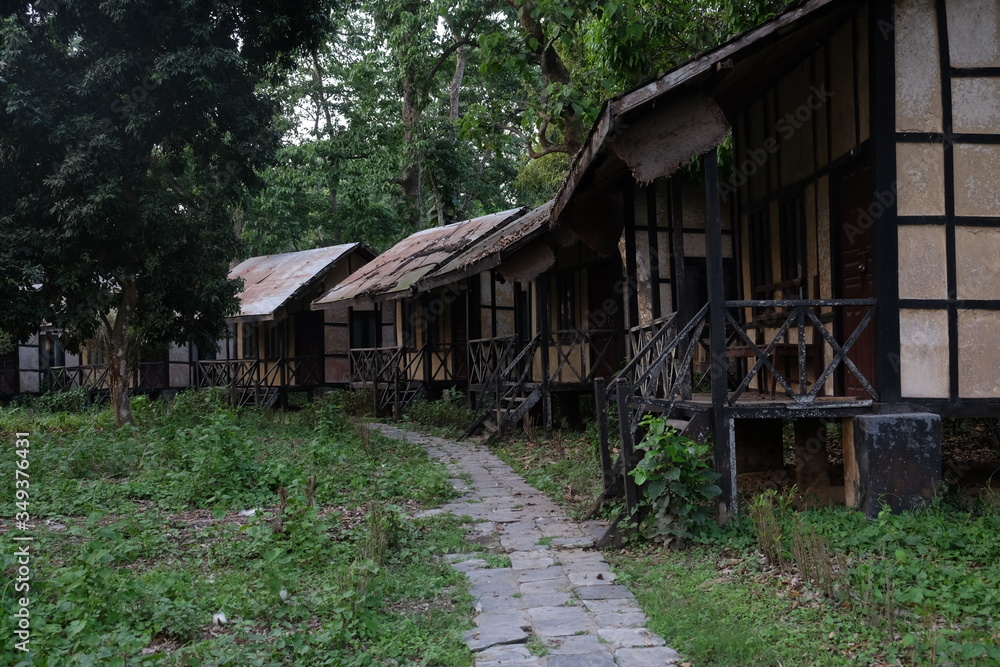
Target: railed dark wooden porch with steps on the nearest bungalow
{"type": "Point", "coordinates": [799, 363]}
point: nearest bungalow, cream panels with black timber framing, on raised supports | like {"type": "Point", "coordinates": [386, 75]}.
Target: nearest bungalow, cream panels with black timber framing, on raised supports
{"type": "Point", "coordinates": [844, 267]}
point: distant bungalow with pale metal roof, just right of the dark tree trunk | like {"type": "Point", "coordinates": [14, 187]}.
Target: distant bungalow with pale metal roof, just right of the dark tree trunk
{"type": "Point", "coordinates": [278, 345]}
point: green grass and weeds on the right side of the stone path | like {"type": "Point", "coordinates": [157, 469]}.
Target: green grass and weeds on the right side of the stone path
{"type": "Point", "coordinates": [819, 587]}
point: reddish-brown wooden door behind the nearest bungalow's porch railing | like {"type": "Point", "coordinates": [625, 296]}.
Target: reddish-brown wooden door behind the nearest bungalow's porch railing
{"type": "Point", "coordinates": [855, 270]}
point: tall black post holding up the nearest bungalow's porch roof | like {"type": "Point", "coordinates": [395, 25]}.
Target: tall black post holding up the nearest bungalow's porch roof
{"type": "Point", "coordinates": [725, 449]}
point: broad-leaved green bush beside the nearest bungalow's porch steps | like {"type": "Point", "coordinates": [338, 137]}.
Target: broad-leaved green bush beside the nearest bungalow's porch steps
{"type": "Point", "coordinates": [677, 483]}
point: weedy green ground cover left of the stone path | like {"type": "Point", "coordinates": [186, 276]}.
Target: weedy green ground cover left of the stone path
{"type": "Point", "coordinates": [208, 535]}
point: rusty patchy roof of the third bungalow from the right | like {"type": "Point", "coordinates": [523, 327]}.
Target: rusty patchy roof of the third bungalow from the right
{"type": "Point", "coordinates": [396, 272]}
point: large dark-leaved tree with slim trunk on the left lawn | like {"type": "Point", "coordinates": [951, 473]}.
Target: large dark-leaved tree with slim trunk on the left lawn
{"type": "Point", "coordinates": [129, 133]}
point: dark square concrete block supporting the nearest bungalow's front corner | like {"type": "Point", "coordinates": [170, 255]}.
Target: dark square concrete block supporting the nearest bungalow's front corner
{"type": "Point", "coordinates": [892, 458]}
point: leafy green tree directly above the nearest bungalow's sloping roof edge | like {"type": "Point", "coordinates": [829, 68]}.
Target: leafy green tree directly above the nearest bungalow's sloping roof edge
{"type": "Point", "coordinates": [575, 54]}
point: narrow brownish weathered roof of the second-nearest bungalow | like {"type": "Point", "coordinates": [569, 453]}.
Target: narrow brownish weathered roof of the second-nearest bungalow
{"type": "Point", "coordinates": [488, 253]}
